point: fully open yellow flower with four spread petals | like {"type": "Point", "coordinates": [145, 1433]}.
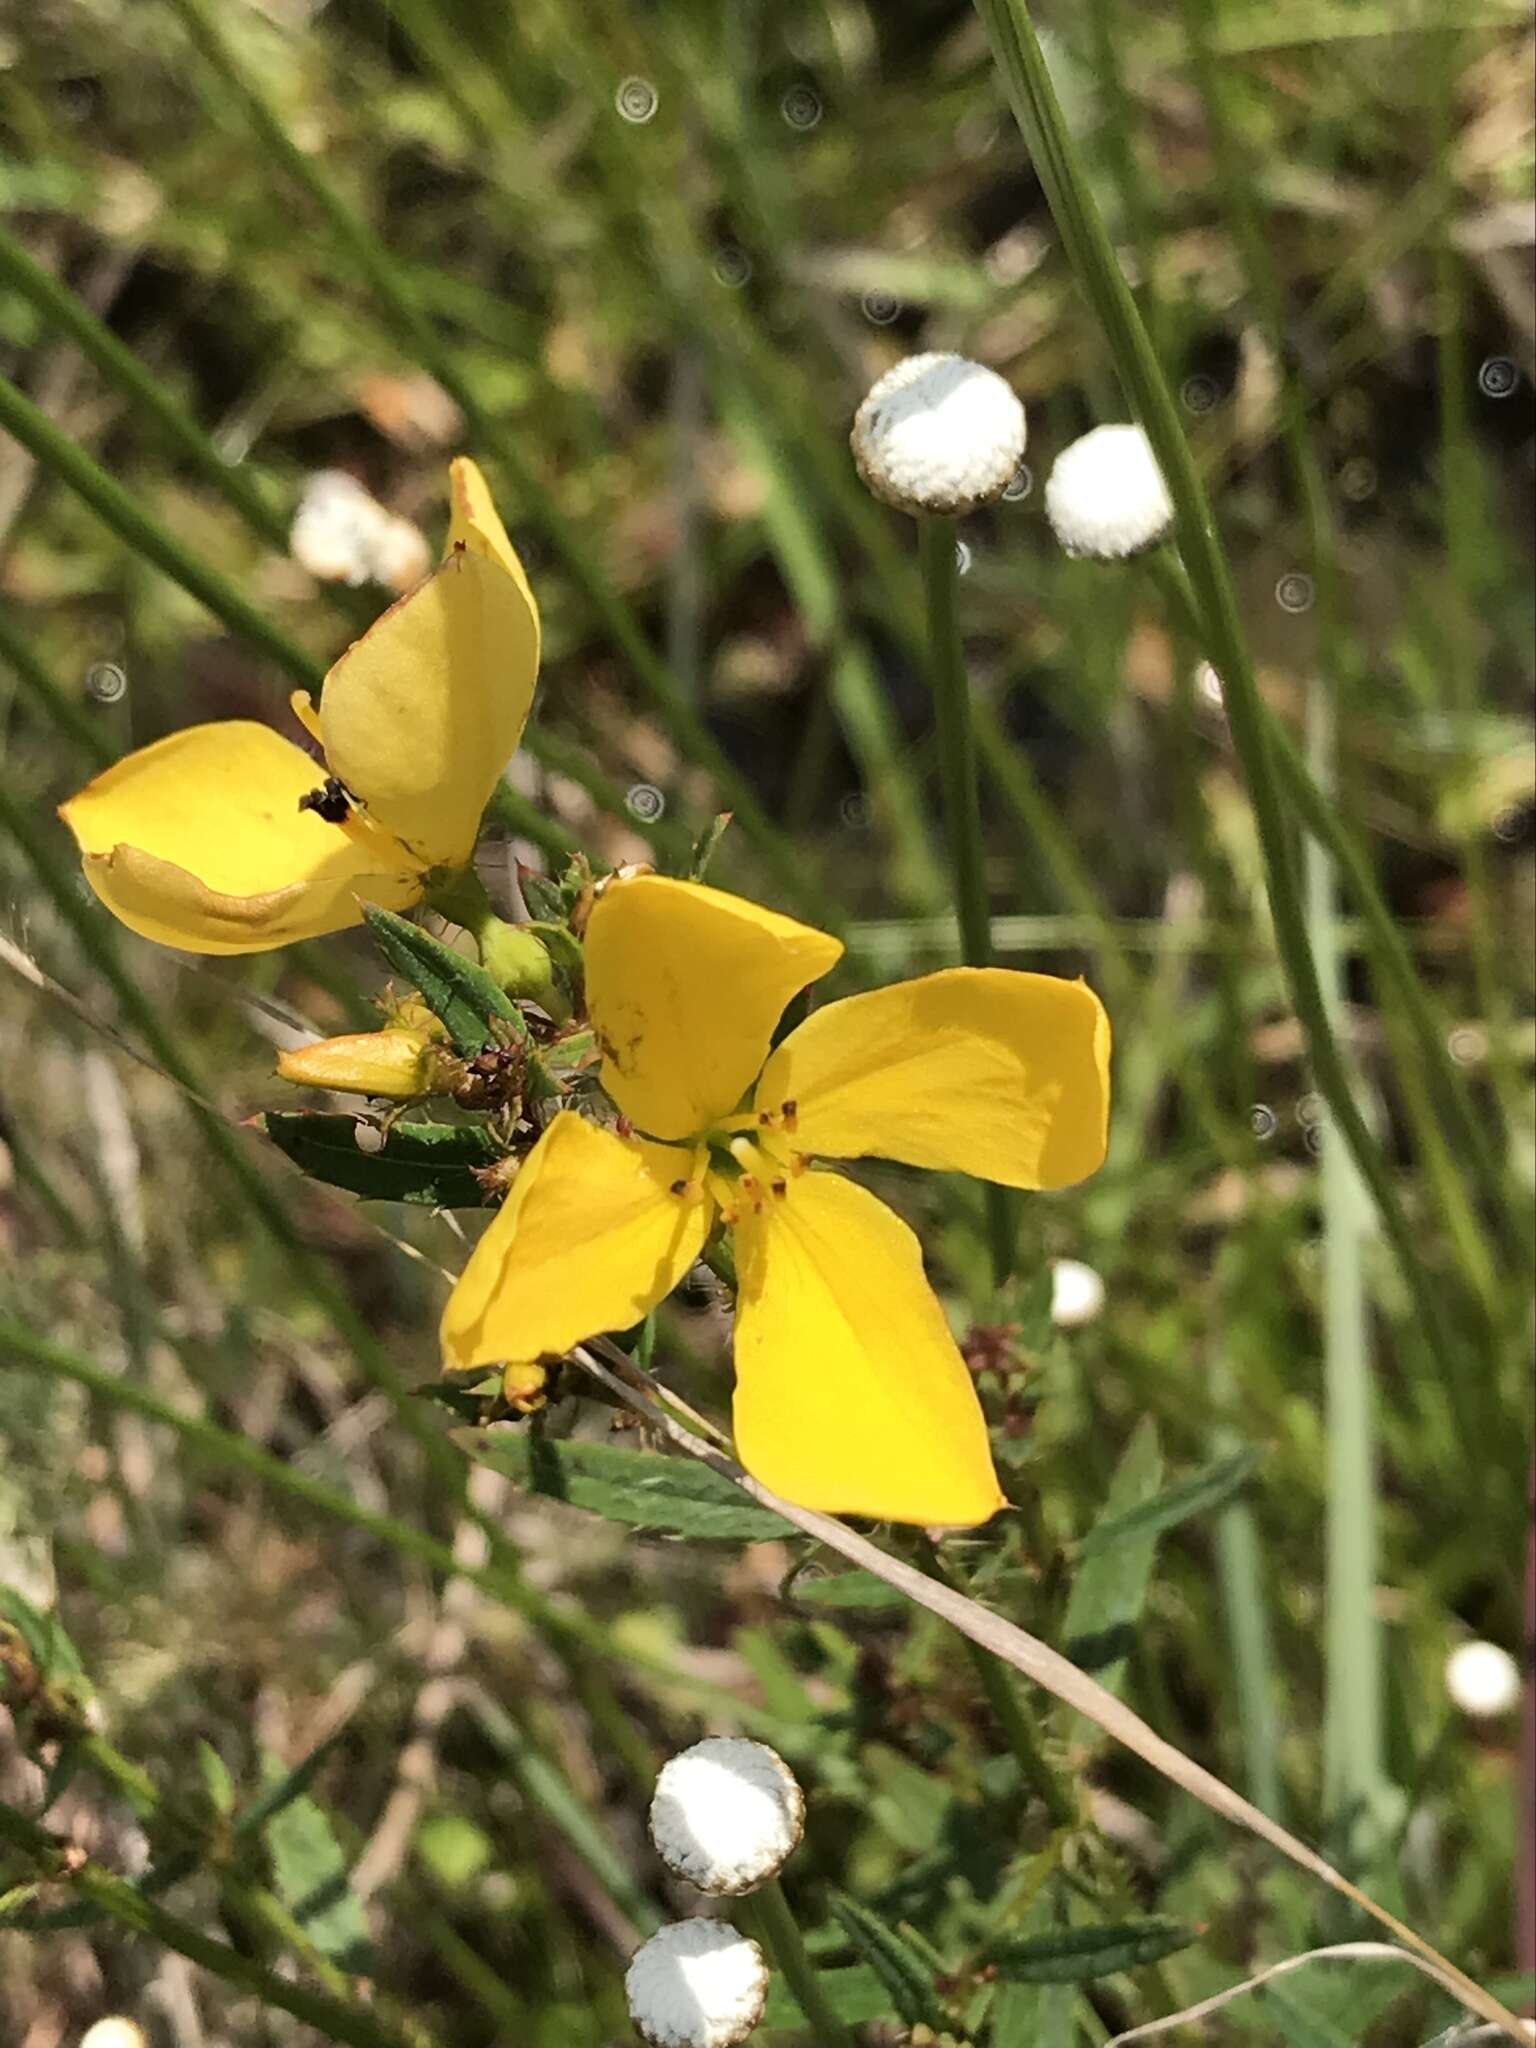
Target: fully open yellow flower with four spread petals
{"type": "Point", "coordinates": [851, 1394]}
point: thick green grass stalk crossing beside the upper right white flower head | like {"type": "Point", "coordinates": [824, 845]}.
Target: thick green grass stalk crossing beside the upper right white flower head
{"type": "Point", "coordinates": [1058, 165]}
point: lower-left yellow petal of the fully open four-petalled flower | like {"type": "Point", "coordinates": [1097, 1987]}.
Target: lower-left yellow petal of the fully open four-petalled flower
{"type": "Point", "coordinates": [591, 1238]}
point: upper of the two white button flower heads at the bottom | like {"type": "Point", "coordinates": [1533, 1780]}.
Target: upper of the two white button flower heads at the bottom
{"type": "Point", "coordinates": [726, 1814]}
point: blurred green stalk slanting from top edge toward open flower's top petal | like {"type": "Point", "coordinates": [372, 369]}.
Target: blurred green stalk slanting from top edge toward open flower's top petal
{"type": "Point", "coordinates": [417, 329]}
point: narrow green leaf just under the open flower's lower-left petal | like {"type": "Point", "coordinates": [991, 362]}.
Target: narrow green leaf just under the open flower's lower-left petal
{"type": "Point", "coordinates": [640, 1488]}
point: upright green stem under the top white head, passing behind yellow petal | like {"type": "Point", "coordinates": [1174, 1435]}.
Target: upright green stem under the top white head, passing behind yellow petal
{"type": "Point", "coordinates": [957, 759]}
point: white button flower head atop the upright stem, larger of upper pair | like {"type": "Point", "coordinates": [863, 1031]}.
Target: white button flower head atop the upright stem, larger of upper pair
{"type": "Point", "coordinates": [939, 435]}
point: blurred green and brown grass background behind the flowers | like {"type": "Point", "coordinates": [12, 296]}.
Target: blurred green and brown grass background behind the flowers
{"type": "Point", "coordinates": [642, 263]}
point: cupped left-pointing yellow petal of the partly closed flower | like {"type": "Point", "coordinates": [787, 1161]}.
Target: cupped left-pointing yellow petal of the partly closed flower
{"type": "Point", "coordinates": [200, 843]}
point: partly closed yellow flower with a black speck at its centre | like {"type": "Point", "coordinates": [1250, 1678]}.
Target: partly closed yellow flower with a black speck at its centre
{"type": "Point", "coordinates": [228, 839]}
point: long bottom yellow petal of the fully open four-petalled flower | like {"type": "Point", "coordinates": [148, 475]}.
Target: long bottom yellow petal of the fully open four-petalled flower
{"type": "Point", "coordinates": [851, 1394]}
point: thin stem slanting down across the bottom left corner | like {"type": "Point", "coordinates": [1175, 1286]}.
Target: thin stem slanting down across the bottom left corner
{"type": "Point", "coordinates": [60, 1863]}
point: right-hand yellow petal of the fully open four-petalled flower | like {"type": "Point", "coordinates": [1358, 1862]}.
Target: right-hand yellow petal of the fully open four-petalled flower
{"type": "Point", "coordinates": [974, 1070]}
